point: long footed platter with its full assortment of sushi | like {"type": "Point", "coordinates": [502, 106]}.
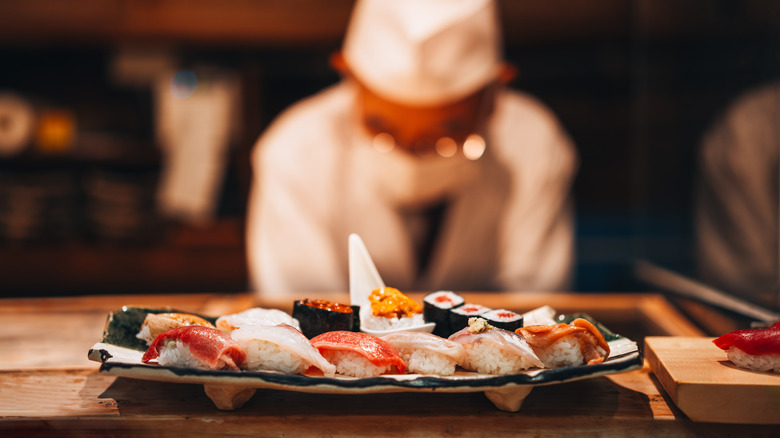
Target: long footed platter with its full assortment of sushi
{"type": "Point", "coordinates": [383, 341]}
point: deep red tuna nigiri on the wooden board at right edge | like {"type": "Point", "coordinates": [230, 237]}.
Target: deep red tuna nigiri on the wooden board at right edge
{"type": "Point", "coordinates": [753, 349]}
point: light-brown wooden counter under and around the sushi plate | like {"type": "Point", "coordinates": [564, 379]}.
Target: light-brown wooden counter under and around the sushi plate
{"type": "Point", "coordinates": [48, 387]}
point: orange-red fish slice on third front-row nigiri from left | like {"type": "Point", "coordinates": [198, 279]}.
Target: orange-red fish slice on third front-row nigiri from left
{"type": "Point", "coordinates": [374, 349]}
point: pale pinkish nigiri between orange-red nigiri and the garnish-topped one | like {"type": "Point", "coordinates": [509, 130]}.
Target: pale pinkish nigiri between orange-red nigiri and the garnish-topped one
{"type": "Point", "coordinates": [426, 353]}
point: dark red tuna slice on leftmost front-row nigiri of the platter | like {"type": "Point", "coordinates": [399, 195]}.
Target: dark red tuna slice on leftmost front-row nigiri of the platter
{"type": "Point", "coordinates": [208, 344]}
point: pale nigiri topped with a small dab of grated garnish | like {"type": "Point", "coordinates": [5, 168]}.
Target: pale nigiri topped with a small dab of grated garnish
{"type": "Point", "coordinates": [491, 350]}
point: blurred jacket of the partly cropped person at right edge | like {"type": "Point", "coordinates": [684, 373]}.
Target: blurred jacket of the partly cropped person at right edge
{"type": "Point", "coordinates": [737, 205]}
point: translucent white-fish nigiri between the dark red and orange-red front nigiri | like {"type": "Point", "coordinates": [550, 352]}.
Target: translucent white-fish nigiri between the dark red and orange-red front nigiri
{"type": "Point", "coordinates": [279, 348]}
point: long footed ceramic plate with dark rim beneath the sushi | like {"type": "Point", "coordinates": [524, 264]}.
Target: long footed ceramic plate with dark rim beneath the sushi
{"type": "Point", "coordinates": [120, 353]}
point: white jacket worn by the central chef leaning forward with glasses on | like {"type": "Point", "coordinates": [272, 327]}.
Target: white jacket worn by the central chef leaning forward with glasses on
{"type": "Point", "coordinates": [509, 228]}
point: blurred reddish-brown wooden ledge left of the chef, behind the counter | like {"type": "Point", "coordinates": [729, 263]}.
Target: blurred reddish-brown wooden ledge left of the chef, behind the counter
{"type": "Point", "coordinates": [185, 260]}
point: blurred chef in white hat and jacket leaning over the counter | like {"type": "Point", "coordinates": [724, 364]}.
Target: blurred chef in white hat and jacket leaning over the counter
{"type": "Point", "coordinates": [452, 180]}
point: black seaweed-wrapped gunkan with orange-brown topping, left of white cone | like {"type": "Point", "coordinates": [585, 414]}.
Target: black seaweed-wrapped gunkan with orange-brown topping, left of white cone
{"type": "Point", "coordinates": [320, 316]}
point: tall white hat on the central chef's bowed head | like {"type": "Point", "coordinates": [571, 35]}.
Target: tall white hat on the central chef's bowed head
{"type": "Point", "coordinates": [423, 52]}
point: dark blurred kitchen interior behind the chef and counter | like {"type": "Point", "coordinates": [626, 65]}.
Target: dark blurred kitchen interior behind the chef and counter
{"type": "Point", "coordinates": [635, 83]}
